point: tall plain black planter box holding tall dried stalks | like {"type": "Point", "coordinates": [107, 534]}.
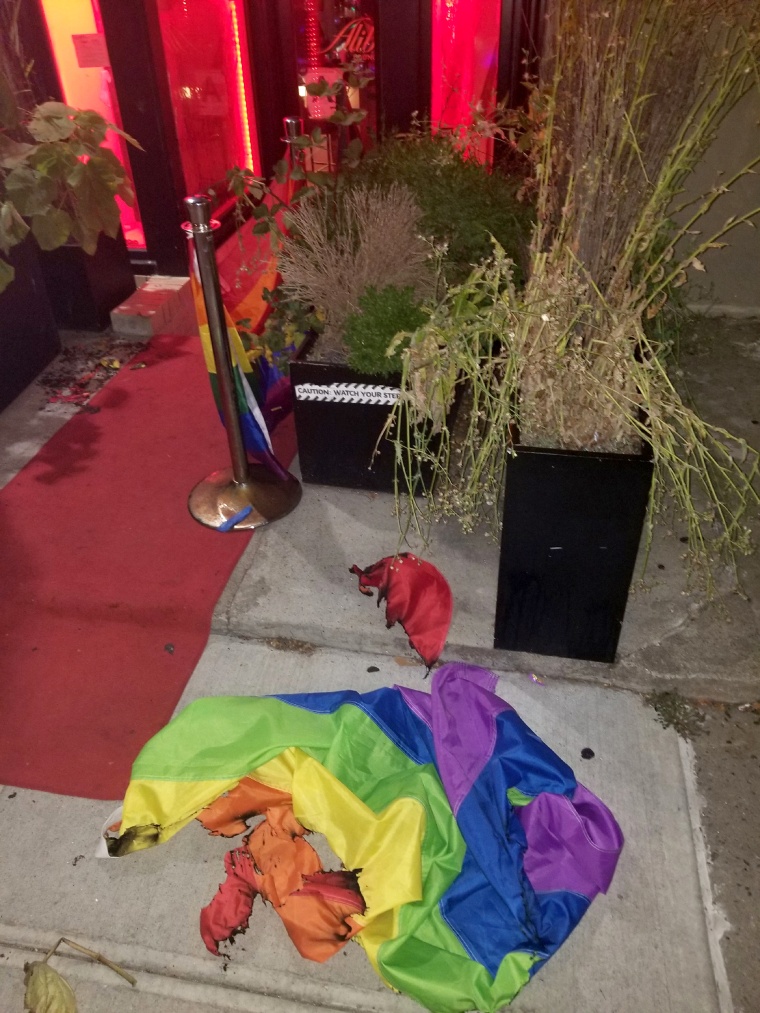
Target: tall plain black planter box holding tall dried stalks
{"type": "Point", "coordinates": [572, 527]}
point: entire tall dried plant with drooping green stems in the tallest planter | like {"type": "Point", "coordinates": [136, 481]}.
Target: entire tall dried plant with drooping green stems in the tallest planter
{"type": "Point", "coordinates": [637, 91]}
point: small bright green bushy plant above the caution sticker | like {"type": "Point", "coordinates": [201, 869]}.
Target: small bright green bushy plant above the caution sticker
{"type": "Point", "coordinates": [384, 314]}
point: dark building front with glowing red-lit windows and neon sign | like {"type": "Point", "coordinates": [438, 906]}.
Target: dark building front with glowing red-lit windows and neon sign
{"type": "Point", "coordinates": [203, 86]}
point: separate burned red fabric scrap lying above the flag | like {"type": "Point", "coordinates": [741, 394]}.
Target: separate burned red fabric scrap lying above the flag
{"type": "Point", "coordinates": [418, 596]}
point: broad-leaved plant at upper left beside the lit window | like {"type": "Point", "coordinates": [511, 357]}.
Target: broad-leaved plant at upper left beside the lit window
{"type": "Point", "coordinates": [58, 182]}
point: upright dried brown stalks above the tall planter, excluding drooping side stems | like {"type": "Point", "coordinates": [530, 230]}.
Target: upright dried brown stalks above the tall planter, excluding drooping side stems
{"type": "Point", "coordinates": [639, 91]}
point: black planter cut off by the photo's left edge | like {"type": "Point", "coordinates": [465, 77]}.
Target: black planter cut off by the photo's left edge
{"type": "Point", "coordinates": [29, 336]}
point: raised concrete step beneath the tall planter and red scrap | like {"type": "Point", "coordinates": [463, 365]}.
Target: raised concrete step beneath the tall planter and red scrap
{"type": "Point", "coordinates": [294, 584]}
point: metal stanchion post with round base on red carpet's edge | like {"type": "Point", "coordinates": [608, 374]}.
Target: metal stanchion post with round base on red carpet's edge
{"type": "Point", "coordinates": [246, 496]}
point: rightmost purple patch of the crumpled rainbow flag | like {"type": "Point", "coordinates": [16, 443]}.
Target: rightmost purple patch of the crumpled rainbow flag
{"type": "Point", "coordinates": [573, 845]}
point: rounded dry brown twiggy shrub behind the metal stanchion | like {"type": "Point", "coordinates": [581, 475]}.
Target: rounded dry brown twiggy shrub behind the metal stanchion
{"type": "Point", "coordinates": [345, 243]}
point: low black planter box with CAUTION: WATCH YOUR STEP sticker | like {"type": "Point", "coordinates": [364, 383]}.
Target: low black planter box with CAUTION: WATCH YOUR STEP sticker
{"type": "Point", "coordinates": [340, 416]}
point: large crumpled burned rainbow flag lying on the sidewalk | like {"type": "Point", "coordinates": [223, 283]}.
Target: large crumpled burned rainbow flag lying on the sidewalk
{"type": "Point", "coordinates": [477, 850]}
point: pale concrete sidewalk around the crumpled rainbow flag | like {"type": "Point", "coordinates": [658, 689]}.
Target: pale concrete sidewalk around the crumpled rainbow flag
{"type": "Point", "coordinates": [643, 948]}
